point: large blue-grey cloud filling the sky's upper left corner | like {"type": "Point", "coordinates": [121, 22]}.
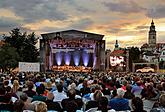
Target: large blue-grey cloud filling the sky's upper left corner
{"type": "Point", "coordinates": [35, 10]}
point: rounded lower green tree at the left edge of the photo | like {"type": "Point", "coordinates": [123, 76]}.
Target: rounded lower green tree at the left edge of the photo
{"type": "Point", "coordinates": [9, 58]}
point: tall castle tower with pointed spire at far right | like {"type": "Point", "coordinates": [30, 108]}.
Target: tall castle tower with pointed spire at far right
{"type": "Point", "coordinates": [152, 35]}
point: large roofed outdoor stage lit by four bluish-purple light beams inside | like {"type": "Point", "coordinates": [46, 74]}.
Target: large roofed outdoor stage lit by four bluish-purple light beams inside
{"type": "Point", "coordinates": [72, 50]}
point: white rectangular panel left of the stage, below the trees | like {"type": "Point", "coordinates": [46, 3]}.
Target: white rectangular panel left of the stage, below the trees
{"type": "Point", "coordinates": [29, 67]}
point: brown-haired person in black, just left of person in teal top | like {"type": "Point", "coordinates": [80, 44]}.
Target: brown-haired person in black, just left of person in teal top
{"type": "Point", "coordinates": [30, 92]}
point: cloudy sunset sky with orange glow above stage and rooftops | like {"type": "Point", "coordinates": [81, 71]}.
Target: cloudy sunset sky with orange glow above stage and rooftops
{"type": "Point", "coordinates": [127, 21]}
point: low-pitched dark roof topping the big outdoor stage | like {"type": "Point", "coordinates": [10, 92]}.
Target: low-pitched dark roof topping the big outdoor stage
{"type": "Point", "coordinates": [73, 34]}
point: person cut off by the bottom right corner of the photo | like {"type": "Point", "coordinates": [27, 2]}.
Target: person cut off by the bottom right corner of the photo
{"type": "Point", "coordinates": [161, 107]}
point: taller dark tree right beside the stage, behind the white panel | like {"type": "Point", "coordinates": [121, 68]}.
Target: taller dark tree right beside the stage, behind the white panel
{"type": "Point", "coordinates": [24, 44]}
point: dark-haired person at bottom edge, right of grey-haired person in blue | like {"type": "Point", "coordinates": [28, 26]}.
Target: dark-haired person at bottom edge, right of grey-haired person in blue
{"type": "Point", "coordinates": [137, 105]}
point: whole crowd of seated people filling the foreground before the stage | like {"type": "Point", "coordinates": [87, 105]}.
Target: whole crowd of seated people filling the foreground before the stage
{"type": "Point", "coordinates": [82, 92]}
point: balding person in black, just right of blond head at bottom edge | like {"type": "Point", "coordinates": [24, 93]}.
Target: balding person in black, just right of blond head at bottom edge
{"type": "Point", "coordinates": [52, 105]}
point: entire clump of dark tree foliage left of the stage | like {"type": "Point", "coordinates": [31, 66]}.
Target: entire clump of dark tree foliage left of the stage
{"type": "Point", "coordinates": [18, 47]}
